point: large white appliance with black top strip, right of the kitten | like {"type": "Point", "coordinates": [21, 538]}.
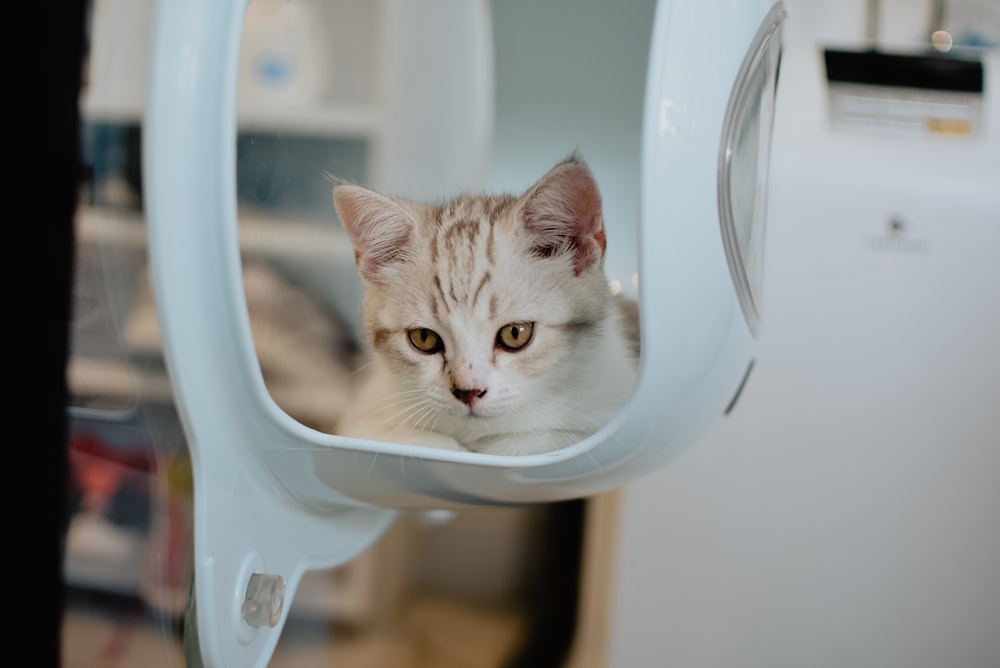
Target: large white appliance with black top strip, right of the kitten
{"type": "Point", "coordinates": [845, 513]}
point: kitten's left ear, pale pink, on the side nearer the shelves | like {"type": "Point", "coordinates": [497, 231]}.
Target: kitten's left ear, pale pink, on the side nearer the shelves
{"type": "Point", "coordinates": [380, 228]}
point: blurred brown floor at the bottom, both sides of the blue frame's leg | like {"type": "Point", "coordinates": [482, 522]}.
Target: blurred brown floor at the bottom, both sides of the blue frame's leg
{"type": "Point", "coordinates": [432, 632]}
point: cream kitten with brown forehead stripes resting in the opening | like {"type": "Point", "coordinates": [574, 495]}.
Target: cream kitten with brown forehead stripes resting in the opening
{"type": "Point", "coordinates": [489, 321]}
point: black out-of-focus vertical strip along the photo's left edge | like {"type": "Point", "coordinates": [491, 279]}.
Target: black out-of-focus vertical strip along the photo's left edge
{"type": "Point", "coordinates": [54, 46]}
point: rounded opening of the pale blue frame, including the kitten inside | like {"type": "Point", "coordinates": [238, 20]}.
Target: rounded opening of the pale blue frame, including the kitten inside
{"type": "Point", "coordinates": [475, 285]}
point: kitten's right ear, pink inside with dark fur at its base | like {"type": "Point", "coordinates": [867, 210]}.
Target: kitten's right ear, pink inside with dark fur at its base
{"type": "Point", "coordinates": [563, 212]}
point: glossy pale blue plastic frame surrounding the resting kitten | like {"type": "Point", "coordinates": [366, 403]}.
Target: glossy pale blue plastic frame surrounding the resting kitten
{"type": "Point", "coordinates": [275, 498]}
